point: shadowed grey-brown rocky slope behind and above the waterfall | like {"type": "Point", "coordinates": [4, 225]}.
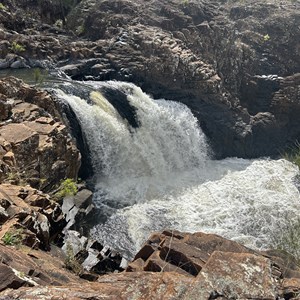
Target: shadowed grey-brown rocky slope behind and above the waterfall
{"type": "Point", "coordinates": [227, 61]}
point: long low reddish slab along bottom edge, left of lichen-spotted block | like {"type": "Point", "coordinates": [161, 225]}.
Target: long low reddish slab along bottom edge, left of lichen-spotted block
{"type": "Point", "coordinates": [139, 286]}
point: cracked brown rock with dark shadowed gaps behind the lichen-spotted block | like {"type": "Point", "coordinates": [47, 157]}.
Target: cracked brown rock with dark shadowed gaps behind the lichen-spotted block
{"type": "Point", "coordinates": [187, 253]}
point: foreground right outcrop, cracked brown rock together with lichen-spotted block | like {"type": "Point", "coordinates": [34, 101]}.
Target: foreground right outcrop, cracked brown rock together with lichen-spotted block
{"type": "Point", "coordinates": [222, 268]}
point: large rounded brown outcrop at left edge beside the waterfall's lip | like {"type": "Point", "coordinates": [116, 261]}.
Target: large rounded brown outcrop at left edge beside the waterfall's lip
{"type": "Point", "coordinates": [35, 146]}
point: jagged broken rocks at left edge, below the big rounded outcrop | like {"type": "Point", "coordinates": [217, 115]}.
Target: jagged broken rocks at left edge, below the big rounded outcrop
{"type": "Point", "coordinates": [27, 209]}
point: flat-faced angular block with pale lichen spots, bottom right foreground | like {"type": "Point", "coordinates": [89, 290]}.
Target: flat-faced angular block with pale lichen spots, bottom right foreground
{"type": "Point", "coordinates": [239, 275]}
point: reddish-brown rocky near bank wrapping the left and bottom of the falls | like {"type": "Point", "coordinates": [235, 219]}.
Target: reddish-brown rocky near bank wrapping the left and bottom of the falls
{"type": "Point", "coordinates": [171, 264]}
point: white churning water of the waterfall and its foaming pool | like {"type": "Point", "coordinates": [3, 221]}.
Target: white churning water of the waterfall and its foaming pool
{"type": "Point", "coordinates": [160, 175]}
